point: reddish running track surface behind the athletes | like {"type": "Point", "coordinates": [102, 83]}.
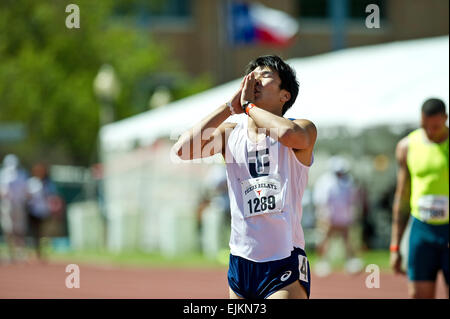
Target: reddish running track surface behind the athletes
{"type": "Point", "coordinates": [48, 281]}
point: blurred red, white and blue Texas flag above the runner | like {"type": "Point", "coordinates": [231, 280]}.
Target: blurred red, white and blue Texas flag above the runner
{"type": "Point", "coordinates": [254, 23]}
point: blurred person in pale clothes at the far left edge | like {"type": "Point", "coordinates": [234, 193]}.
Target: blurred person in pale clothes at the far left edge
{"type": "Point", "coordinates": [13, 217]}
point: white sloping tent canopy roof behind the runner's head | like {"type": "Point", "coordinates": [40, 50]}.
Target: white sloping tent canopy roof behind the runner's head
{"type": "Point", "coordinates": [358, 87]}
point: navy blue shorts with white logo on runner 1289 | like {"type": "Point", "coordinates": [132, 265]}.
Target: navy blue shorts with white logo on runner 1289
{"type": "Point", "coordinates": [258, 280]}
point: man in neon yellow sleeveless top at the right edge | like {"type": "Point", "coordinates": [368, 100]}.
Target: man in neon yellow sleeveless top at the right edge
{"type": "Point", "coordinates": [422, 189]}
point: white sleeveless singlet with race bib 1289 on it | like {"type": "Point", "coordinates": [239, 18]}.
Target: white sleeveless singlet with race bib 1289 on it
{"type": "Point", "coordinates": [266, 183]}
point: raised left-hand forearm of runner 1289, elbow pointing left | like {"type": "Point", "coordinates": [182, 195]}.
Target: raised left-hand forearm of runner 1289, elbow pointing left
{"type": "Point", "coordinates": [200, 133]}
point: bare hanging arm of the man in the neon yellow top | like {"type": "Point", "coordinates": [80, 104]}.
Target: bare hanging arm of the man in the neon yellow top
{"type": "Point", "coordinates": [400, 209]}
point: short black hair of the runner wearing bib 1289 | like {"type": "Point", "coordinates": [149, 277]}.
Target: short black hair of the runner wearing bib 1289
{"type": "Point", "coordinates": [285, 72]}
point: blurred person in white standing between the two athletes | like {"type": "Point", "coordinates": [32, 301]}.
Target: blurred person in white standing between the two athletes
{"type": "Point", "coordinates": [335, 198]}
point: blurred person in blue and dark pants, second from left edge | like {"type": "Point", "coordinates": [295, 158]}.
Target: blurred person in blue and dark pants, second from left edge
{"type": "Point", "coordinates": [42, 202]}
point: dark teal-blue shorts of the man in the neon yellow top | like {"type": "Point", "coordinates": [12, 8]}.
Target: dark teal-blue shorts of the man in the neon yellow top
{"type": "Point", "coordinates": [428, 251]}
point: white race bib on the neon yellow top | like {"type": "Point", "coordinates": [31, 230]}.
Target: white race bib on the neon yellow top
{"type": "Point", "coordinates": [433, 208]}
